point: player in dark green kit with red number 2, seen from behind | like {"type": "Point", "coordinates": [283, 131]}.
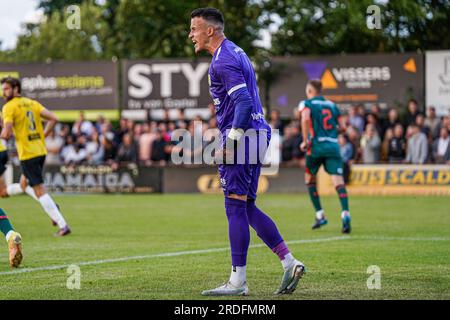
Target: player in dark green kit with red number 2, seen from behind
{"type": "Point", "coordinates": [320, 123]}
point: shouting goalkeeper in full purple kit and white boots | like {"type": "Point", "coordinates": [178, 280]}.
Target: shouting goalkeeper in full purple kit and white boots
{"type": "Point", "coordinates": [235, 95]}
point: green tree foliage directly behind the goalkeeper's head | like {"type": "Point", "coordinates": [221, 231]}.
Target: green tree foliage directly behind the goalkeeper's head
{"type": "Point", "coordinates": [155, 29]}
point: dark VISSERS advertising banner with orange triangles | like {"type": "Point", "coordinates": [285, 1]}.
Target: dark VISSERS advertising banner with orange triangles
{"type": "Point", "coordinates": [385, 79]}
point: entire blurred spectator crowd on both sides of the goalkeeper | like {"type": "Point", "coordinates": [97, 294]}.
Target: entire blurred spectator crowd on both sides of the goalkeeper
{"type": "Point", "coordinates": [371, 137]}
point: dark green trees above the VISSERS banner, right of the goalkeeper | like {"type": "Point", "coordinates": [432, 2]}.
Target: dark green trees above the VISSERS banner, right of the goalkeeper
{"type": "Point", "coordinates": [337, 26]}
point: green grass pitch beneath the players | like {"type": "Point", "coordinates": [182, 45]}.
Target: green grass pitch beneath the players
{"type": "Point", "coordinates": [144, 247]}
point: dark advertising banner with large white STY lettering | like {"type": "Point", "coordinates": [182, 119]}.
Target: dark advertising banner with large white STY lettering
{"type": "Point", "coordinates": [170, 84]}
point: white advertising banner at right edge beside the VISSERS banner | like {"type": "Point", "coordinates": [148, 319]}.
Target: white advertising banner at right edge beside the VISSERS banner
{"type": "Point", "coordinates": [438, 81]}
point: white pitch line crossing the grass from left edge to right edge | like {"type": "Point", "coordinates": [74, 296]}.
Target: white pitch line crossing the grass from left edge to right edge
{"type": "Point", "coordinates": [212, 250]}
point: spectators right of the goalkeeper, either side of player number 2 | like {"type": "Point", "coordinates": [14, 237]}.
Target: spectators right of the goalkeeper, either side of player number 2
{"type": "Point", "coordinates": [373, 137]}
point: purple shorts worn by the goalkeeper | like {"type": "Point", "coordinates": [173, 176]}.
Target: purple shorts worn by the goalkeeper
{"type": "Point", "coordinates": [240, 179]}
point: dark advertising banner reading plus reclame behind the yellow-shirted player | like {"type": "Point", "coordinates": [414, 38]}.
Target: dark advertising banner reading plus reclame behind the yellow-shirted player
{"type": "Point", "coordinates": [67, 86]}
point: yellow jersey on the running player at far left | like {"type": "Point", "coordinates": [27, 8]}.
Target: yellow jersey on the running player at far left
{"type": "Point", "coordinates": [25, 116]}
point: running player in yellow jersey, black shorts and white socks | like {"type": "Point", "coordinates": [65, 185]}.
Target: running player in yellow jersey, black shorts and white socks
{"type": "Point", "coordinates": [23, 117]}
